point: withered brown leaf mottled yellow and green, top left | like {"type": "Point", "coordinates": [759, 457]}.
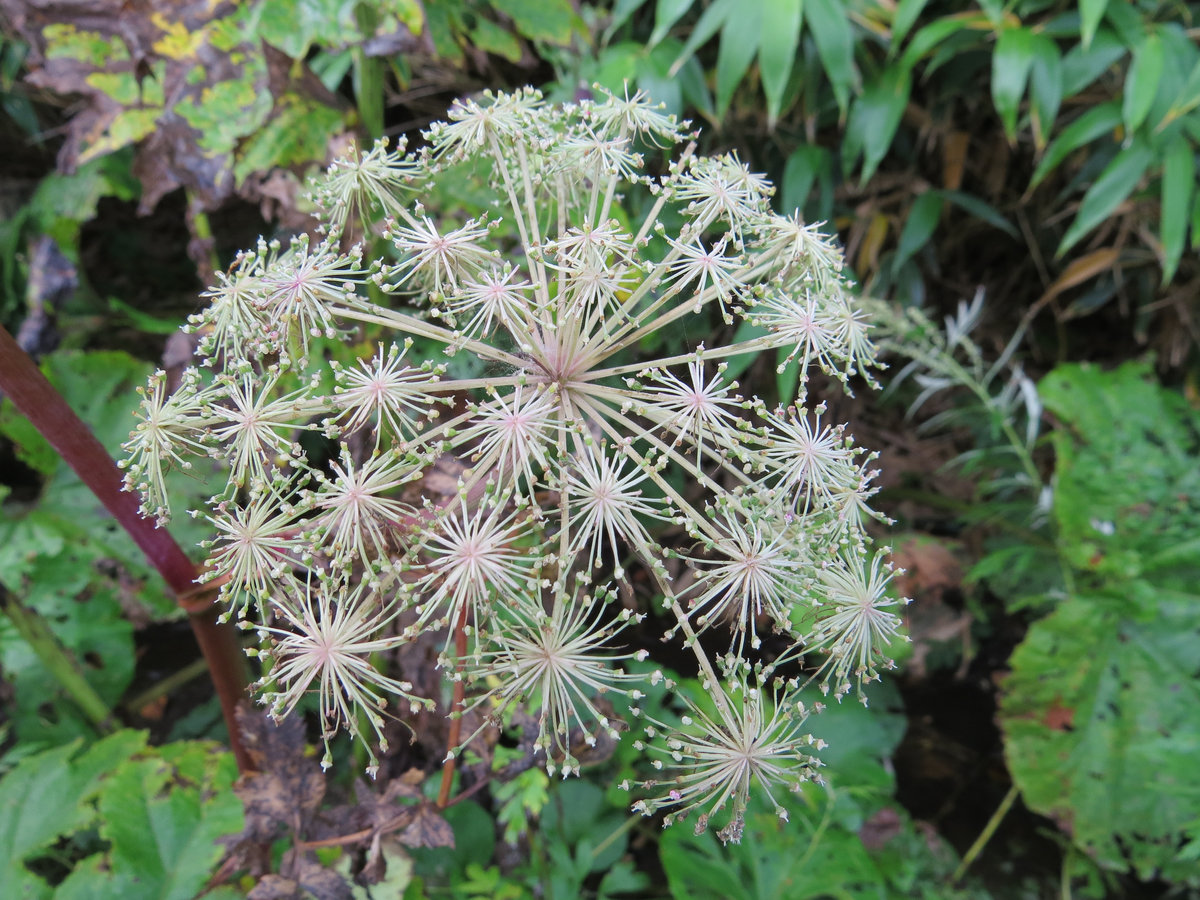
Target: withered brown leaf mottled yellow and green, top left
{"type": "Point", "coordinates": [189, 82]}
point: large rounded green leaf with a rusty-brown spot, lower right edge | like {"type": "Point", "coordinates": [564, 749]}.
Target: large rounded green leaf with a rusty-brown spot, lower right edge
{"type": "Point", "coordinates": [1102, 721]}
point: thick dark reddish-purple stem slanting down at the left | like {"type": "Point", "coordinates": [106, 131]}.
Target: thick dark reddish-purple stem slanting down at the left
{"type": "Point", "coordinates": [50, 413]}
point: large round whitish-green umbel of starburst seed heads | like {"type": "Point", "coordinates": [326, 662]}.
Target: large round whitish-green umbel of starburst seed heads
{"type": "Point", "coordinates": [549, 355]}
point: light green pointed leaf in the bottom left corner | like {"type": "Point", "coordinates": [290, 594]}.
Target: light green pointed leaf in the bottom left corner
{"type": "Point", "coordinates": [46, 797]}
